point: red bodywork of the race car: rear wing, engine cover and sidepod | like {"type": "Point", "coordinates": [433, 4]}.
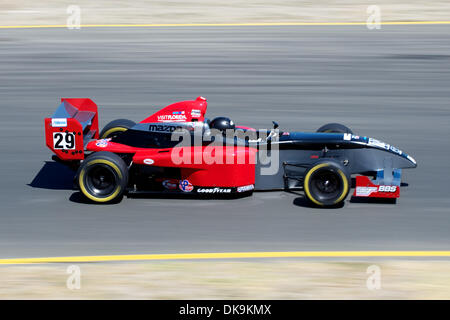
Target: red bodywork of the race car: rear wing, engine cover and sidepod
{"type": "Point", "coordinates": [226, 173]}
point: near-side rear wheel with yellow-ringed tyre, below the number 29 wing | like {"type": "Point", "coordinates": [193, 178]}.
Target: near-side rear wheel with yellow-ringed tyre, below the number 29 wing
{"type": "Point", "coordinates": [103, 177]}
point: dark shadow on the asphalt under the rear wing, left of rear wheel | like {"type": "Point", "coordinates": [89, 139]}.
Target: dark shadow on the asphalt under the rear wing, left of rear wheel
{"type": "Point", "coordinates": [54, 176]}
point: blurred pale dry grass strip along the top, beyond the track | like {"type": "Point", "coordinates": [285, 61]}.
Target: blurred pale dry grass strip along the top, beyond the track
{"type": "Point", "coordinates": [28, 12]}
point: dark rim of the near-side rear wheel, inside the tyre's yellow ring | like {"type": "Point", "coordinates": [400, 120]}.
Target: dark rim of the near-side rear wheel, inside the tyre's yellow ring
{"type": "Point", "coordinates": [101, 180]}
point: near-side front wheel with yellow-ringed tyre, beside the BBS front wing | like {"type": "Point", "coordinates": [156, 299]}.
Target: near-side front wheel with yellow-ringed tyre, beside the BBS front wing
{"type": "Point", "coordinates": [327, 183]}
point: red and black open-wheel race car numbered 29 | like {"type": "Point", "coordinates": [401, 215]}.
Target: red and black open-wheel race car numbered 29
{"type": "Point", "coordinates": [126, 158]}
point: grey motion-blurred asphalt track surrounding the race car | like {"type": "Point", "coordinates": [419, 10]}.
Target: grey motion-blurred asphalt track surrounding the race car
{"type": "Point", "coordinates": [392, 84]}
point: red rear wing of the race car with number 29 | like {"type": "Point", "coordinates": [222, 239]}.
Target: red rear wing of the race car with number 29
{"type": "Point", "coordinates": [71, 127]}
